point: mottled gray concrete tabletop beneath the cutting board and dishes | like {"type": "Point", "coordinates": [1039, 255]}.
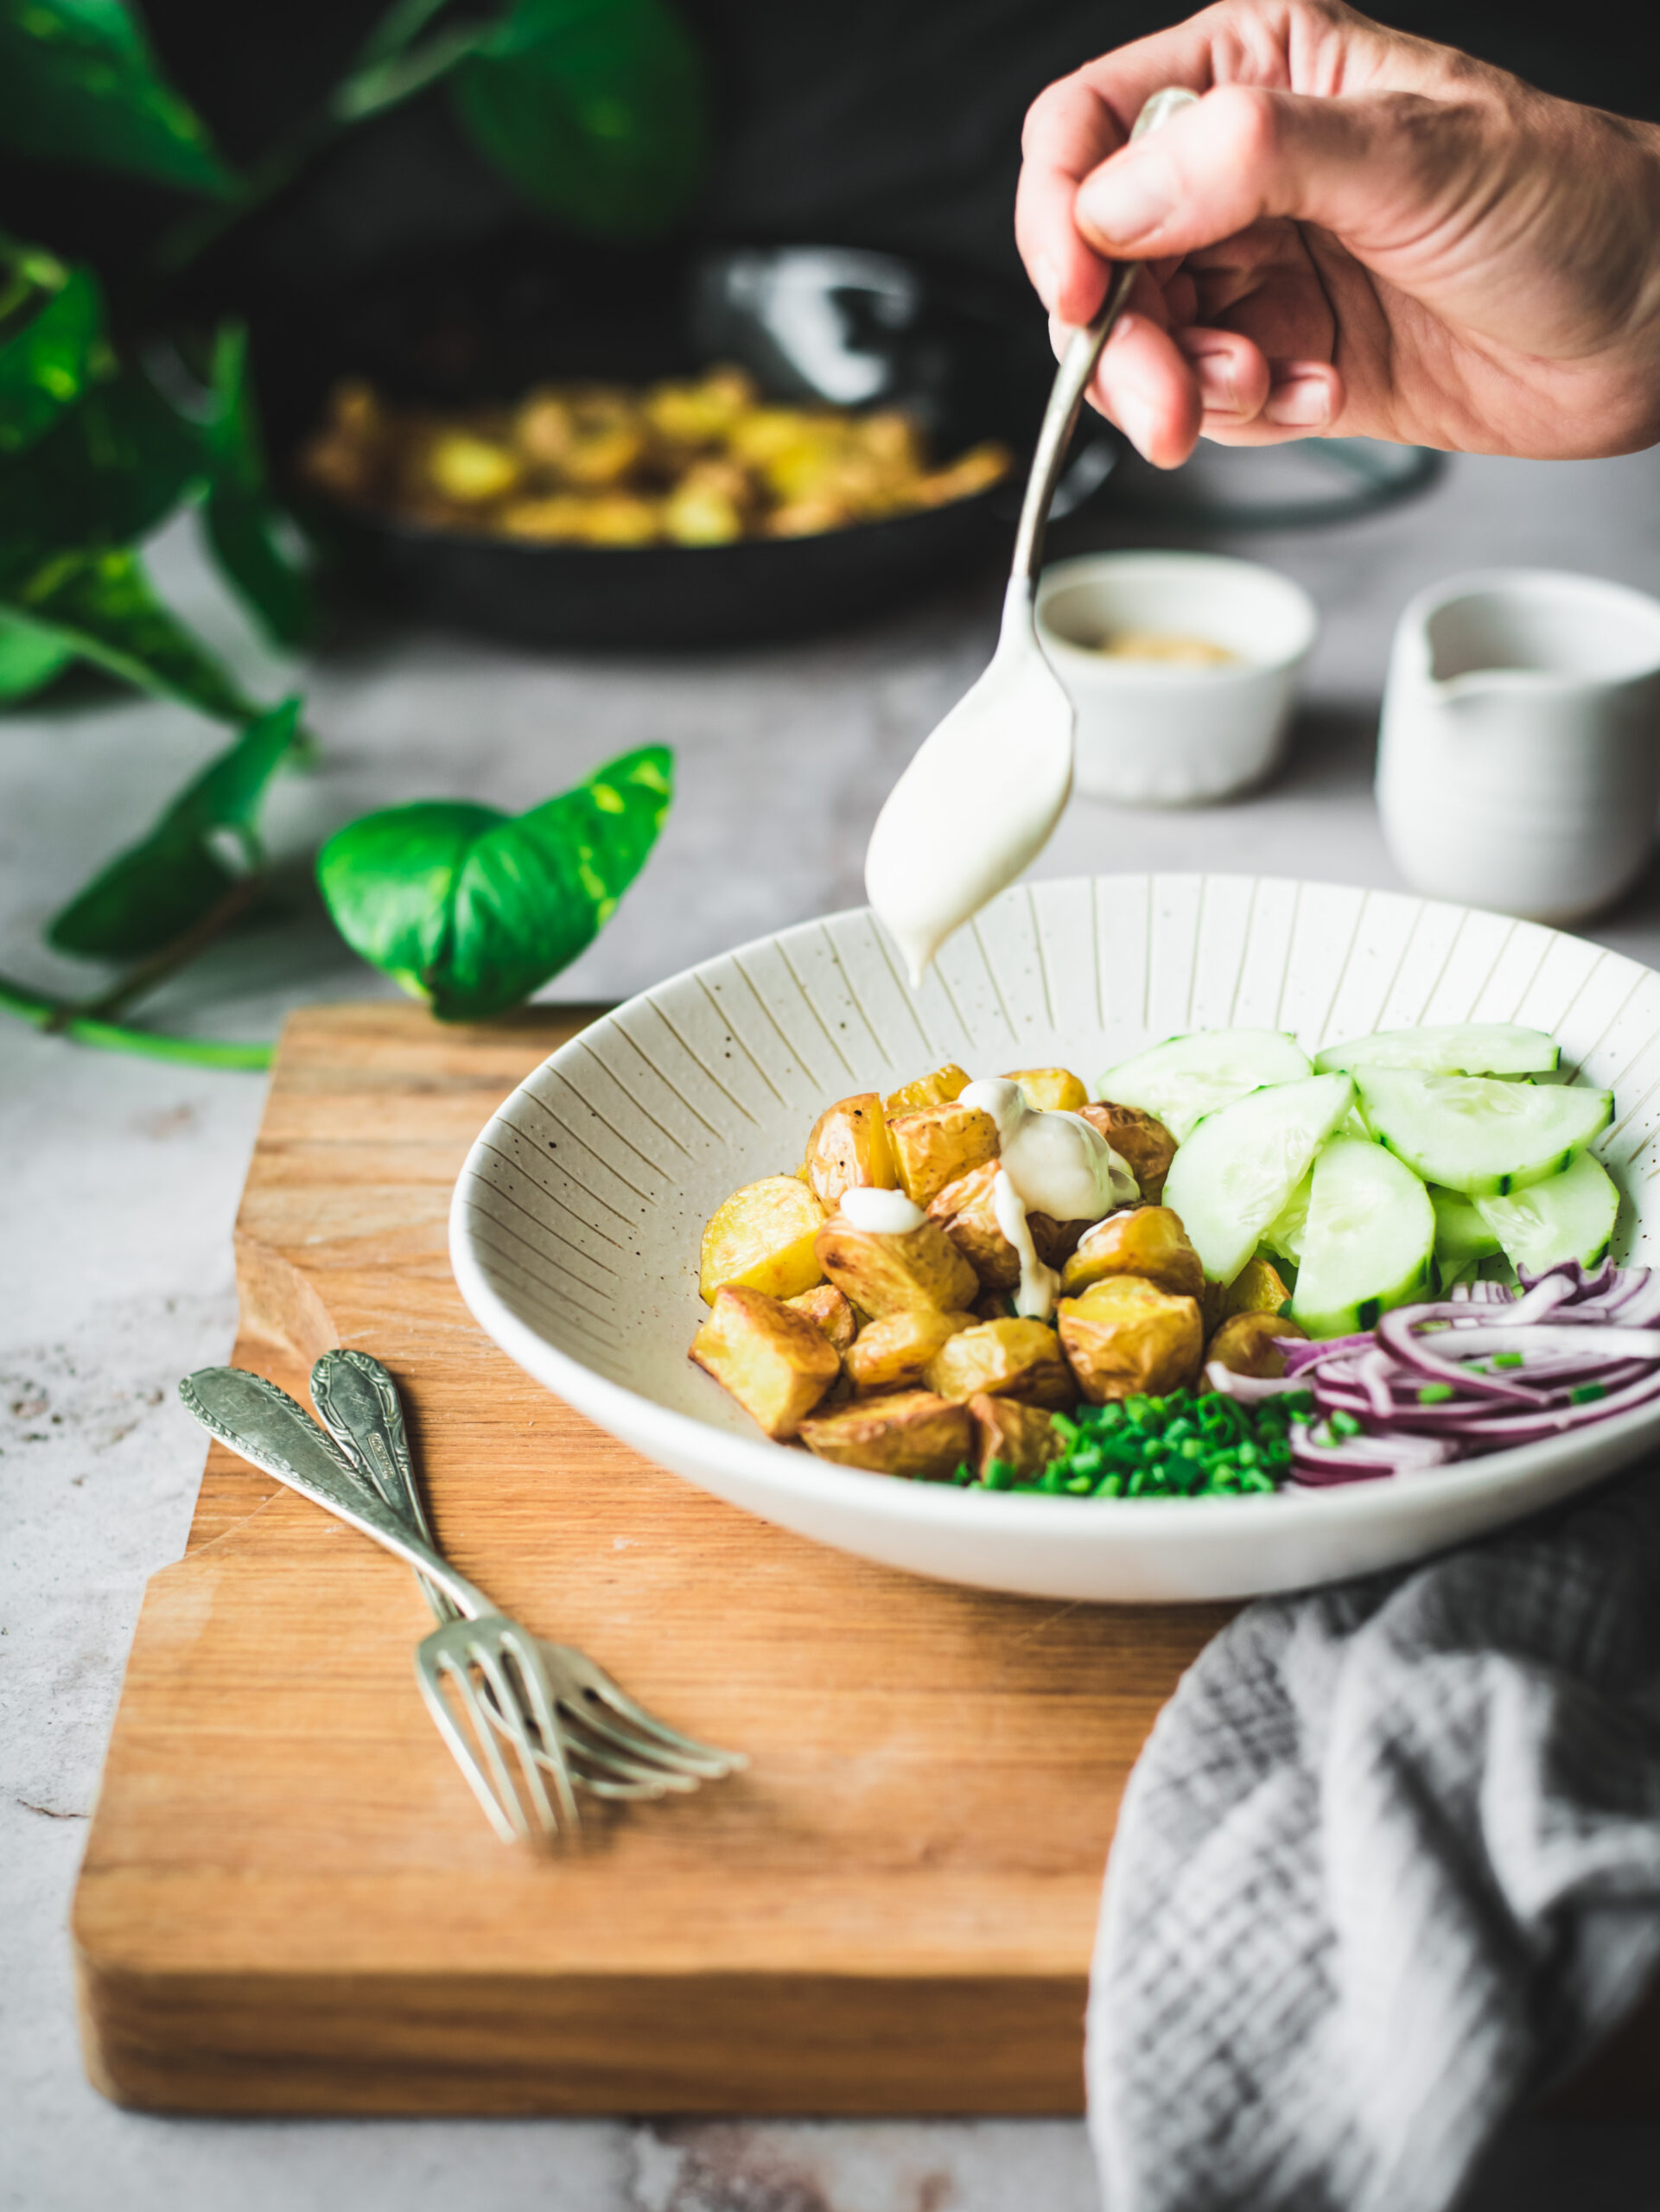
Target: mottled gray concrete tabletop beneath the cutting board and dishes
{"type": "Point", "coordinates": [118, 1185]}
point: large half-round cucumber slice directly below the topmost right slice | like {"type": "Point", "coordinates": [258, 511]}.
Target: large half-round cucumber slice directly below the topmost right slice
{"type": "Point", "coordinates": [1475, 1134]}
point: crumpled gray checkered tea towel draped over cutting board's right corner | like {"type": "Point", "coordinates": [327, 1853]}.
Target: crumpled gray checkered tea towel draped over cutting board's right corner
{"type": "Point", "coordinates": [1389, 1864]}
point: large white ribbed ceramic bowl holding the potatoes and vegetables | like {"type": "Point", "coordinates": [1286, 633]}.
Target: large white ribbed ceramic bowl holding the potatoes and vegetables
{"type": "Point", "coordinates": [577, 1220]}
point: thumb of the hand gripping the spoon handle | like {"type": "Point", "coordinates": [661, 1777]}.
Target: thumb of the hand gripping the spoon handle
{"type": "Point", "coordinates": [1369, 167]}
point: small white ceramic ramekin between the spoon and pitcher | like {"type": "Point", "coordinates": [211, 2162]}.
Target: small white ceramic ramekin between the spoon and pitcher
{"type": "Point", "coordinates": [1170, 733]}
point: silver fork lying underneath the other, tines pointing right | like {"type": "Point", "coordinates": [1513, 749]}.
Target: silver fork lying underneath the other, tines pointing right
{"type": "Point", "coordinates": [616, 1749]}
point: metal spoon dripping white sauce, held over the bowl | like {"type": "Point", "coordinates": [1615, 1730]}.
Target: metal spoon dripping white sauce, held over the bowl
{"type": "Point", "coordinates": [986, 791]}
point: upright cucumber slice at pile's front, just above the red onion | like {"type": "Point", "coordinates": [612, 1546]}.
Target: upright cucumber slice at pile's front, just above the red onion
{"type": "Point", "coordinates": [1369, 1240]}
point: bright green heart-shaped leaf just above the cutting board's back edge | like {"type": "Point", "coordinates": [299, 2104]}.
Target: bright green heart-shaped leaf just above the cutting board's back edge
{"type": "Point", "coordinates": [475, 910]}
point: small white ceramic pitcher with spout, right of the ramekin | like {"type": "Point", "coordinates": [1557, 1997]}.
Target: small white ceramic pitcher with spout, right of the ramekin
{"type": "Point", "coordinates": [1519, 760]}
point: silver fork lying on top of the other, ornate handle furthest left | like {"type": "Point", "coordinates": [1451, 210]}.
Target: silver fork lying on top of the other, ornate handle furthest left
{"type": "Point", "coordinates": [269, 1430]}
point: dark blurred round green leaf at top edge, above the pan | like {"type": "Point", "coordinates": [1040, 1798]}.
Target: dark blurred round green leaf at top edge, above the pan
{"type": "Point", "coordinates": [596, 109]}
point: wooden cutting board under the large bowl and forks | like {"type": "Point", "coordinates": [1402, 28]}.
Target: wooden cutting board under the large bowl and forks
{"type": "Point", "coordinates": [291, 1903]}
